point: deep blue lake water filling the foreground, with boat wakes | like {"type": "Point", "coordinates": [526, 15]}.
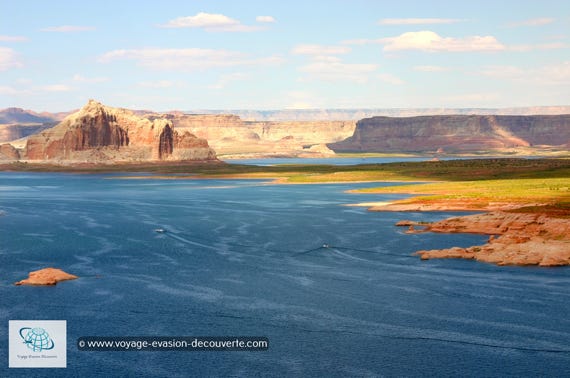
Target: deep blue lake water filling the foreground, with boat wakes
{"type": "Point", "coordinates": [234, 262]}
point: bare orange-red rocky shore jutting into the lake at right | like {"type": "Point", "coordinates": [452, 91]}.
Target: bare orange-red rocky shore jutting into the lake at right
{"type": "Point", "coordinates": [516, 238]}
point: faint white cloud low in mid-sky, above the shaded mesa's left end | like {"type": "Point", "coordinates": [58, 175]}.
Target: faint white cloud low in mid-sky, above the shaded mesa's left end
{"type": "Point", "coordinates": [335, 70]}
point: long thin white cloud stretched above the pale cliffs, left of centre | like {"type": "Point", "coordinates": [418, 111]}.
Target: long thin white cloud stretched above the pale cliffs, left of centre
{"type": "Point", "coordinates": [190, 59]}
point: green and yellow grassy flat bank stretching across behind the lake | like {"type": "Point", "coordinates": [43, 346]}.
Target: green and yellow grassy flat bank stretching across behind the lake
{"type": "Point", "coordinates": [538, 184]}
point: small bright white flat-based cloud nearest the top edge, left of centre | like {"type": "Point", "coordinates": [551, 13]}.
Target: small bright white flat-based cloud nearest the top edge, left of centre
{"type": "Point", "coordinates": [210, 22]}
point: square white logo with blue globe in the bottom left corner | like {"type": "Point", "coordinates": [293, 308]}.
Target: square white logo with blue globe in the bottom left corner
{"type": "Point", "coordinates": [37, 343]}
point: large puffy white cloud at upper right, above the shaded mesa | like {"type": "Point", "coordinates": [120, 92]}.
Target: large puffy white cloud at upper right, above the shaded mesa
{"type": "Point", "coordinates": [432, 42]}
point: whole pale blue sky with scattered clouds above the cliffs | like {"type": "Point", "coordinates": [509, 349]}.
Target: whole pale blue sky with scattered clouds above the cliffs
{"type": "Point", "coordinates": [223, 54]}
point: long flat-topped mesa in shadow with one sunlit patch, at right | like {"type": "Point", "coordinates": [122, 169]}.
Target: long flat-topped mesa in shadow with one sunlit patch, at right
{"type": "Point", "coordinates": [456, 133]}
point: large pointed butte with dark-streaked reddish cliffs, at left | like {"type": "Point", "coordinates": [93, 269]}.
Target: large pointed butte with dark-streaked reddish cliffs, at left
{"type": "Point", "coordinates": [100, 133]}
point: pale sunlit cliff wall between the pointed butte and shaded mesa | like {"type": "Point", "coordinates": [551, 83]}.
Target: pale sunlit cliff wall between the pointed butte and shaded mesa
{"type": "Point", "coordinates": [229, 134]}
